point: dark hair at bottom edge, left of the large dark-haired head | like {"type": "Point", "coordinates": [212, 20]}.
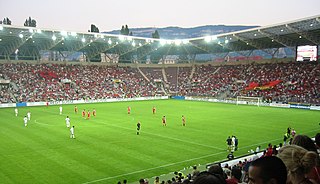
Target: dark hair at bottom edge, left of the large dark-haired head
{"type": "Point", "coordinates": [209, 178]}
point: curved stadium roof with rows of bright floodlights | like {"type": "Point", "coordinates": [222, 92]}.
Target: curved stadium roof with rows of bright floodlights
{"type": "Point", "coordinates": [30, 41]}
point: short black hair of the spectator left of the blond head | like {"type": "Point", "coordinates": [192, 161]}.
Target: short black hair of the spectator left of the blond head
{"type": "Point", "coordinates": [271, 167]}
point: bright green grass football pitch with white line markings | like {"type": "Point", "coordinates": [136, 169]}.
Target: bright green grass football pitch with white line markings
{"type": "Point", "coordinates": [107, 149]}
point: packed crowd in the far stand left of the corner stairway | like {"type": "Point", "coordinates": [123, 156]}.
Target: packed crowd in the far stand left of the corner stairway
{"type": "Point", "coordinates": [52, 82]}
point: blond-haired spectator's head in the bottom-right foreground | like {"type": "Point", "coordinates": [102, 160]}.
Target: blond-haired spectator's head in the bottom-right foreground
{"type": "Point", "coordinates": [299, 162]}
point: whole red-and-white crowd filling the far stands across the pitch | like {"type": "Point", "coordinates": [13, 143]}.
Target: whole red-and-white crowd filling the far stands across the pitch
{"type": "Point", "coordinates": [300, 82]}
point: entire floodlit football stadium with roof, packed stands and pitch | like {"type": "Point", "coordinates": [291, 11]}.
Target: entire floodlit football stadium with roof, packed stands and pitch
{"type": "Point", "coordinates": [86, 107]}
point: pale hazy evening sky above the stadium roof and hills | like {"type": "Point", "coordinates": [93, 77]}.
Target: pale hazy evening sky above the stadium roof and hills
{"type": "Point", "coordinates": [107, 15]}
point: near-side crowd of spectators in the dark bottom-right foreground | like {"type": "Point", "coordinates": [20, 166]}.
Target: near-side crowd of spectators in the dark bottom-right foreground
{"type": "Point", "coordinates": [296, 163]}
